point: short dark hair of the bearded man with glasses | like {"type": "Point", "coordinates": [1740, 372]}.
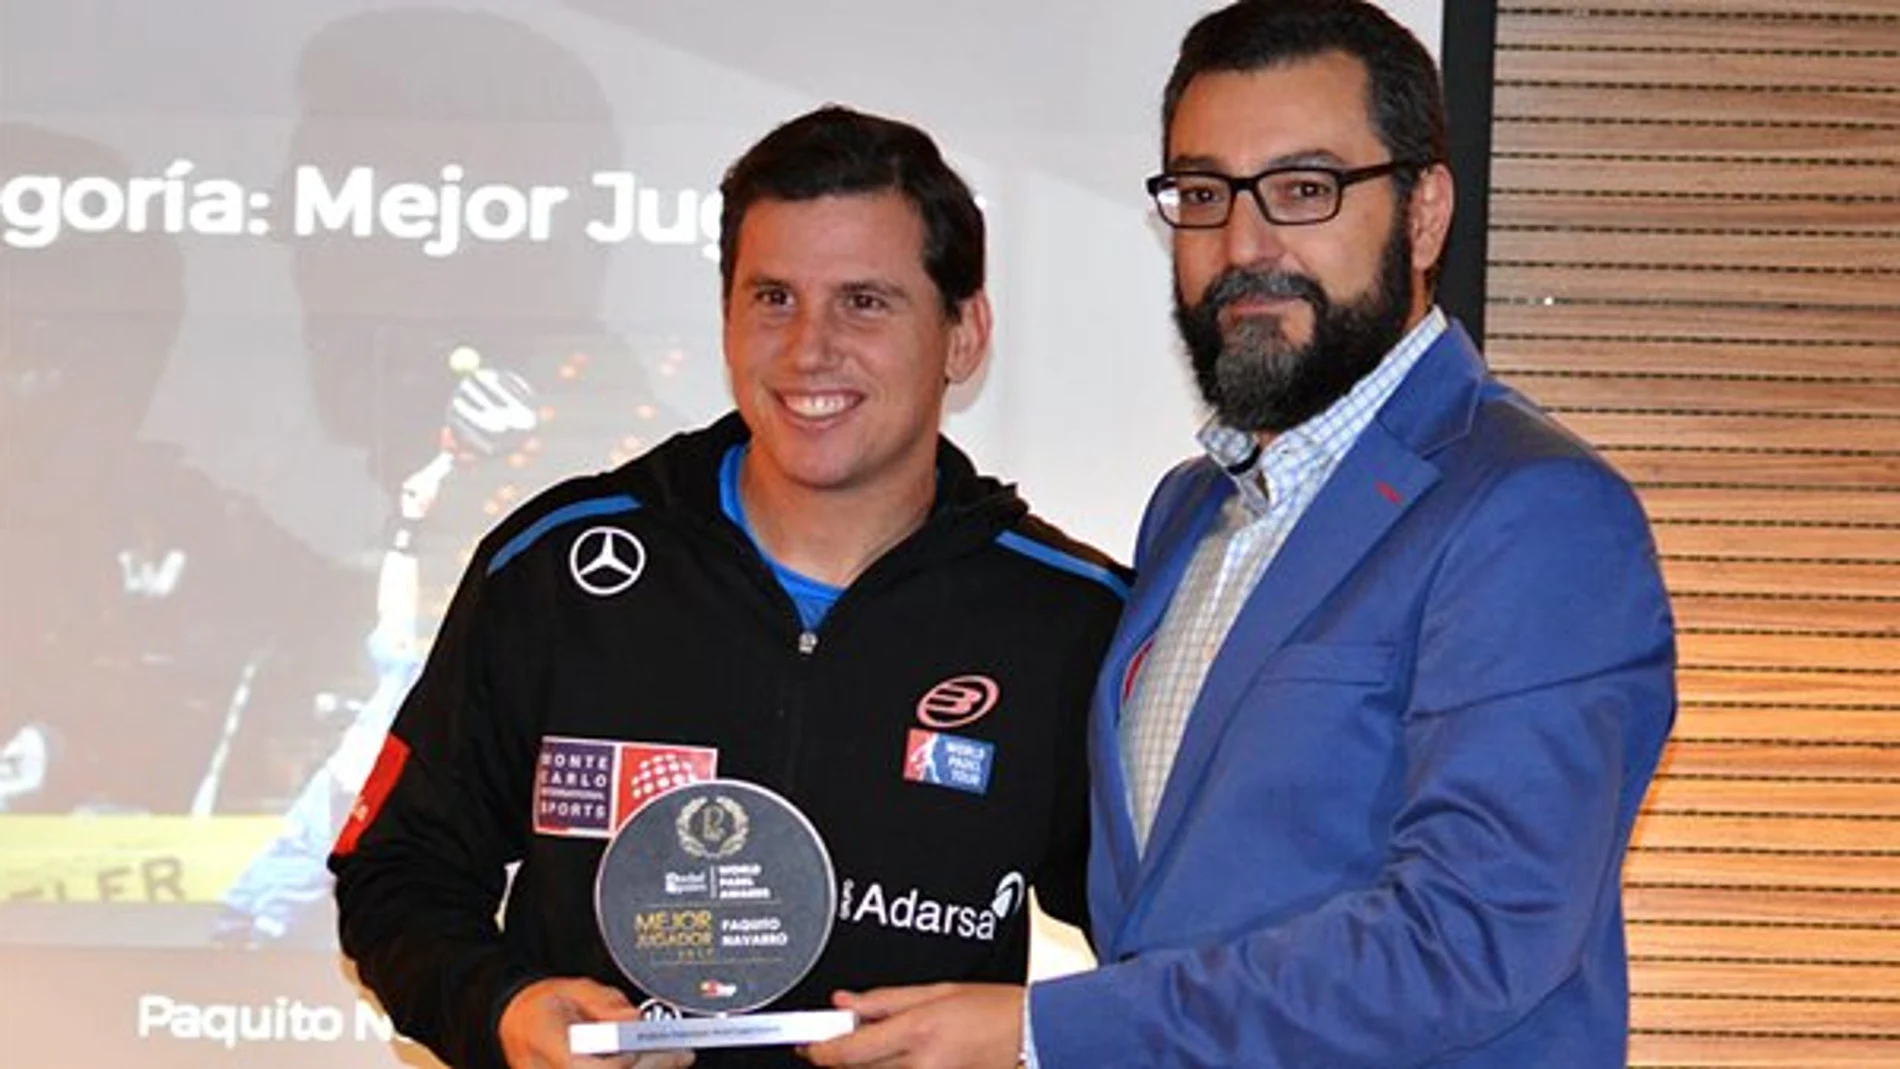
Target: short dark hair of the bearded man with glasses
{"type": "Point", "coordinates": [1407, 100]}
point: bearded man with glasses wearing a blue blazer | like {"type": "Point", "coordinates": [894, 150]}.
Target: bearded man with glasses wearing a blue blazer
{"type": "Point", "coordinates": [1397, 669]}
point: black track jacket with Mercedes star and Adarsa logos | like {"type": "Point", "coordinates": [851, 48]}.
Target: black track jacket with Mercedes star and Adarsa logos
{"type": "Point", "coordinates": [622, 618]}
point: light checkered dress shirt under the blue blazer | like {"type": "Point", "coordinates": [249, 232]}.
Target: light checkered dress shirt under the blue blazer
{"type": "Point", "coordinates": [1274, 493]}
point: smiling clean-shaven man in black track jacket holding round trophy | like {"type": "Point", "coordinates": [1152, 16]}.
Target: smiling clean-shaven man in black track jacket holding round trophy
{"type": "Point", "coordinates": [816, 595]}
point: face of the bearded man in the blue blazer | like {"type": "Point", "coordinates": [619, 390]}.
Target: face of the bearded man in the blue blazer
{"type": "Point", "coordinates": [1283, 320]}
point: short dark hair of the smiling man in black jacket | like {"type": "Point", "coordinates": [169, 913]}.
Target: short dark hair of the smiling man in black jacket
{"type": "Point", "coordinates": [841, 151]}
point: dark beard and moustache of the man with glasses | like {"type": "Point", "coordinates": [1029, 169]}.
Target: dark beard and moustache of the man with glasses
{"type": "Point", "coordinates": [1255, 381]}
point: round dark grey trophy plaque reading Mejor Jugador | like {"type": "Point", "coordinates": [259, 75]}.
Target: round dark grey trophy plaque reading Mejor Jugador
{"type": "Point", "coordinates": [717, 897]}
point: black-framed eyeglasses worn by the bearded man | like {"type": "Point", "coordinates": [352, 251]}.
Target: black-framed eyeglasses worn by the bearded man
{"type": "Point", "coordinates": [1289, 197]}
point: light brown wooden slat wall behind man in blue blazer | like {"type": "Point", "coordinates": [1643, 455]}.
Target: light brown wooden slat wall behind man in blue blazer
{"type": "Point", "coordinates": [1696, 263]}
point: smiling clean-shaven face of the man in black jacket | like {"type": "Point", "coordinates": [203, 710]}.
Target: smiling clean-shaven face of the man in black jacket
{"type": "Point", "coordinates": [839, 347]}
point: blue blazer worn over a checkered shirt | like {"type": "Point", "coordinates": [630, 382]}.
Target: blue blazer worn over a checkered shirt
{"type": "Point", "coordinates": [1396, 827]}
